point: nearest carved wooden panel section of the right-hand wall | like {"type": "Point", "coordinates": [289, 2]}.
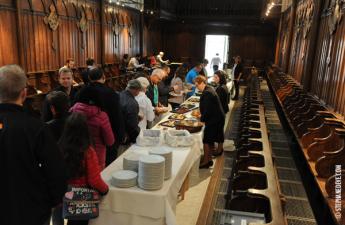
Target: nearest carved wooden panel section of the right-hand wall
{"type": "Point", "coordinates": [328, 81]}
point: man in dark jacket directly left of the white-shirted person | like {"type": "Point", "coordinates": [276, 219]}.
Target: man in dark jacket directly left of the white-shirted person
{"type": "Point", "coordinates": [130, 110]}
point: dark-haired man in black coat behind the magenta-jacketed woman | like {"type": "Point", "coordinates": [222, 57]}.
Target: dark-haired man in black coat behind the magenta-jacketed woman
{"type": "Point", "coordinates": [110, 103]}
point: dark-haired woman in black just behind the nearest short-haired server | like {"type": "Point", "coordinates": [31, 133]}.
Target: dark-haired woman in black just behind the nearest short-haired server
{"type": "Point", "coordinates": [219, 78]}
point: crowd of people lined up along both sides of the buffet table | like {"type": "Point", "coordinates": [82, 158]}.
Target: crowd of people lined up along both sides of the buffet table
{"type": "Point", "coordinates": [81, 132]}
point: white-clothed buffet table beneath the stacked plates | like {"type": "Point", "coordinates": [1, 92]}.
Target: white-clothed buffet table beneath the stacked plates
{"type": "Point", "coordinates": [134, 206]}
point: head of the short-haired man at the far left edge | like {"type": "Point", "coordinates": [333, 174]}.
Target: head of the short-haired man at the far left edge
{"type": "Point", "coordinates": [12, 82]}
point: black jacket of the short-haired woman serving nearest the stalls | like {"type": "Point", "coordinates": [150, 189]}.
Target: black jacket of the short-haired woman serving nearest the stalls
{"type": "Point", "coordinates": [210, 107]}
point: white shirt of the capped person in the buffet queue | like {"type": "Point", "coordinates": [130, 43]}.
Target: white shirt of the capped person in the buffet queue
{"type": "Point", "coordinates": [145, 110]}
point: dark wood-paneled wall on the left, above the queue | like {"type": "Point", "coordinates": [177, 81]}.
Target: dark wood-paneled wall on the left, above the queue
{"type": "Point", "coordinates": [27, 39]}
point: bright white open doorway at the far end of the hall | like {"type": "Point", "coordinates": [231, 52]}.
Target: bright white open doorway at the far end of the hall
{"type": "Point", "coordinates": [216, 44]}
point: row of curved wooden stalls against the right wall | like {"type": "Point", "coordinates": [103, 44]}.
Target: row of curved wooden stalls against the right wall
{"type": "Point", "coordinates": [320, 135]}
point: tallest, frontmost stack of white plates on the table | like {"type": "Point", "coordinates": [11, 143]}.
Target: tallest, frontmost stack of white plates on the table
{"type": "Point", "coordinates": [151, 172]}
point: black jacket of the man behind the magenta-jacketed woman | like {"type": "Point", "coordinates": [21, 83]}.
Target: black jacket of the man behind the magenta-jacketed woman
{"type": "Point", "coordinates": [110, 103]}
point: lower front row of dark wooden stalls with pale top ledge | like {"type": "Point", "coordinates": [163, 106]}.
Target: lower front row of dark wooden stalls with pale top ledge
{"type": "Point", "coordinates": [253, 181]}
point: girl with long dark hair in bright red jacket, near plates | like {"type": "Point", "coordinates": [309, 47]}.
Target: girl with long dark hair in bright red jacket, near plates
{"type": "Point", "coordinates": [80, 157]}
